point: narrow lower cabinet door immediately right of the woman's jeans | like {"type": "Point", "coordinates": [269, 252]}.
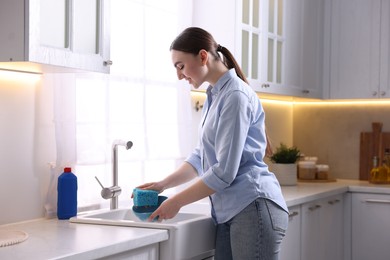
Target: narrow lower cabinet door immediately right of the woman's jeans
{"type": "Point", "coordinates": [292, 241]}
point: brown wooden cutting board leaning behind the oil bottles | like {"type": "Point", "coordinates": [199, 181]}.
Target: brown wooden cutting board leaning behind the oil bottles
{"type": "Point", "coordinates": [372, 144]}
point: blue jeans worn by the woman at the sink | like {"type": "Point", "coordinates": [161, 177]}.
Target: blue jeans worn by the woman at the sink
{"type": "Point", "coordinates": [255, 233]}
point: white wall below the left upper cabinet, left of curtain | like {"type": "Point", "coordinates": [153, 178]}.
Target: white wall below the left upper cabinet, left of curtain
{"type": "Point", "coordinates": [26, 138]}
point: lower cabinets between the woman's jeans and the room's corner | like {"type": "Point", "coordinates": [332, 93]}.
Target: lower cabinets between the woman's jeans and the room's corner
{"type": "Point", "coordinates": [315, 231]}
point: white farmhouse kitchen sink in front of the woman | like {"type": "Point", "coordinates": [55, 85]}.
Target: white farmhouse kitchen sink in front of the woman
{"type": "Point", "coordinates": [191, 235]}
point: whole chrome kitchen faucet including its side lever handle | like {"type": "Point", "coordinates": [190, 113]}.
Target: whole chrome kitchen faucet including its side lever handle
{"type": "Point", "coordinates": [114, 191]}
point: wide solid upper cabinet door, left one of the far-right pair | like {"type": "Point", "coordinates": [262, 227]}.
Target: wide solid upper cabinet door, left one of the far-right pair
{"type": "Point", "coordinates": [354, 48]}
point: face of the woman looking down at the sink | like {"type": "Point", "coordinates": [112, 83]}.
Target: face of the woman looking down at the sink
{"type": "Point", "coordinates": [190, 67]}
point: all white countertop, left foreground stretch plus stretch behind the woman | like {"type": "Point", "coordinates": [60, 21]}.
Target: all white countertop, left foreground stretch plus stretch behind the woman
{"type": "Point", "coordinates": [55, 239]}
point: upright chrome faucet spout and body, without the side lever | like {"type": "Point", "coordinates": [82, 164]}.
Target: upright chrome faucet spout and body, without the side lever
{"type": "Point", "coordinates": [115, 144]}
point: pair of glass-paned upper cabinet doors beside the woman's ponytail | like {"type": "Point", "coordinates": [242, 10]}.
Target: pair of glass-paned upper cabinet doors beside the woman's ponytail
{"type": "Point", "coordinates": [262, 40]}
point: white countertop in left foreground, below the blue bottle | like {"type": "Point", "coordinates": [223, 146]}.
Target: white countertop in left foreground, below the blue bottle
{"type": "Point", "coordinates": [60, 239]}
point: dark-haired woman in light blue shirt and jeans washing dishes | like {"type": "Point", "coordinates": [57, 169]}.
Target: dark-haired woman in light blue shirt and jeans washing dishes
{"type": "Point", "coordinates": [247, 203]}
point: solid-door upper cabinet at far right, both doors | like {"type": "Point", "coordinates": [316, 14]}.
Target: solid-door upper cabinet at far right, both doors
{"type": "Point", "coordinates": [359, 54]}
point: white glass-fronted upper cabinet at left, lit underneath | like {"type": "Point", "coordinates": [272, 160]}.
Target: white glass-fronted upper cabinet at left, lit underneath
{"type": "Point", "coordinates": [54, 35]}
